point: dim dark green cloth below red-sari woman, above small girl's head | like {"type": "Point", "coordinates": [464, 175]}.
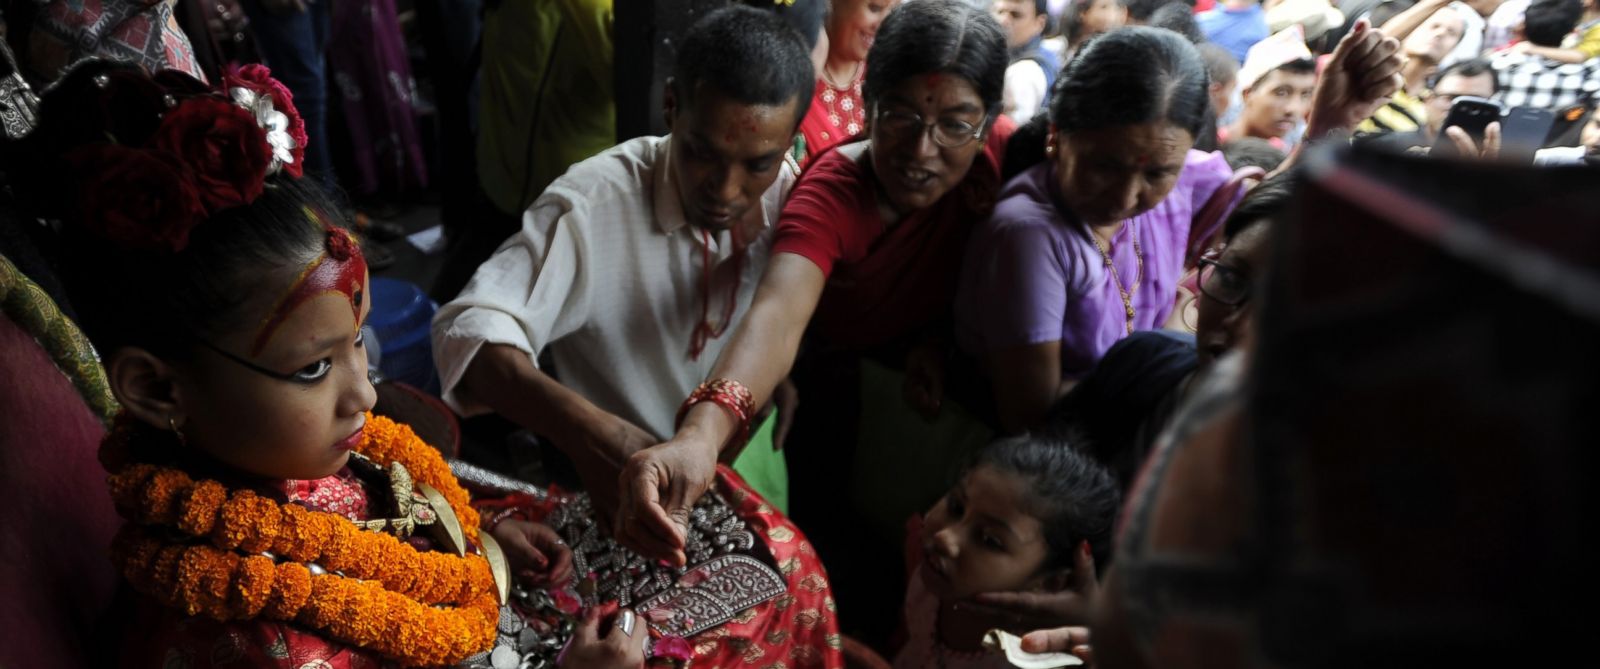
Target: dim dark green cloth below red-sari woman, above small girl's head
{"type": "Point", "coordinates": [905, 463]}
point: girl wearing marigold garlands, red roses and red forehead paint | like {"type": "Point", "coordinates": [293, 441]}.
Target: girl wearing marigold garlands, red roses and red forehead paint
{"type": "Point", "coordinates": [271, 519]}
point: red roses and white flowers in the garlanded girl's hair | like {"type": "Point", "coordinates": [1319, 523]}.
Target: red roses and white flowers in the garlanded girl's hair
{"type": "Point", "coordinates": [148, 159]}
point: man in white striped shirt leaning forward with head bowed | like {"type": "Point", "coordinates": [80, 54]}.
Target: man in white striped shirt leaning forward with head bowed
{"type": "Point", "coordinates": [631, 270]}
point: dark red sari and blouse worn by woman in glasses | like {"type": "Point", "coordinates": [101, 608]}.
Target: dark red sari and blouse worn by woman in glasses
{"type": "Point", "coordinates": [884, 281]}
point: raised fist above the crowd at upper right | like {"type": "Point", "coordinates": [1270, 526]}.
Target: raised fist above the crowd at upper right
{"type": "Point", "coordinates": [1362, 76]}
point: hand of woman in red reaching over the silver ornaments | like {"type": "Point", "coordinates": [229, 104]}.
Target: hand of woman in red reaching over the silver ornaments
{"type": "Point", "coordinates": [660, 487]}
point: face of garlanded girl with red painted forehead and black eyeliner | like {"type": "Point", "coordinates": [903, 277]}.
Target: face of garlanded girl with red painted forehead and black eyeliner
{"type": "Point", "coordinates": [294, 428]}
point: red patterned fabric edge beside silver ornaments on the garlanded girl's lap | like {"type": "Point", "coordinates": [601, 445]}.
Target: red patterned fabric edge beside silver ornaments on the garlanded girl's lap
{"type": "Point", "coordinates": [798, 630]}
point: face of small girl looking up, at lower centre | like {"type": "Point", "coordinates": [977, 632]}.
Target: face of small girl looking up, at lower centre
{"type": "Point", "coordinates": [982, 540]}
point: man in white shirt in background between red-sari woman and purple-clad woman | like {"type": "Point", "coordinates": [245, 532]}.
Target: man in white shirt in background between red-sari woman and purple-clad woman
{"type": "Point", "coordinates": [1033, 66]}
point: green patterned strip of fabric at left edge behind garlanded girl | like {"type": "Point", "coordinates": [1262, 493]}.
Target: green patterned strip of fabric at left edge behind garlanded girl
{"type": "Point", "coordinates": [31, 308]}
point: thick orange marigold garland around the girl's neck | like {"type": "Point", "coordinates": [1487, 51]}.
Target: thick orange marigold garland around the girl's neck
{"type": "Point", "coordinates": [422, 609]}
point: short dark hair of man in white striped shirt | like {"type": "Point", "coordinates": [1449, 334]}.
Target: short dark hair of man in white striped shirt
{"type": "Point", "coordinates": [748, 55]}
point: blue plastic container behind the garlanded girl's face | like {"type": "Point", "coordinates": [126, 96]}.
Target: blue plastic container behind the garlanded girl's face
{"type": "Point", "coordinates": [401, 319]}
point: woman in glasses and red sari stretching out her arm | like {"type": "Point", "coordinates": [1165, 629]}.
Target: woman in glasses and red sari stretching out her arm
{"type": "Point", "coordinates": [868, 254]}
